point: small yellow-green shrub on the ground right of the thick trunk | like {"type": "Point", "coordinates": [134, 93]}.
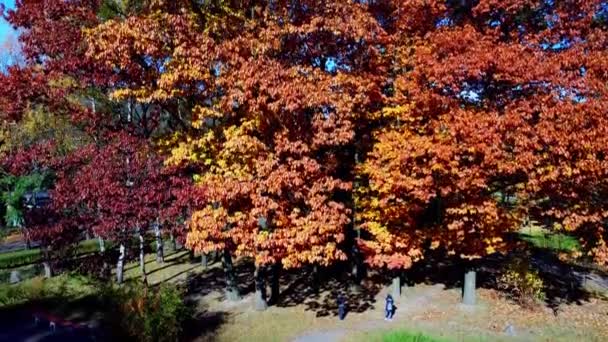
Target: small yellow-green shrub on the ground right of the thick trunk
{"type": "Point", "coordinates": [522, 282]}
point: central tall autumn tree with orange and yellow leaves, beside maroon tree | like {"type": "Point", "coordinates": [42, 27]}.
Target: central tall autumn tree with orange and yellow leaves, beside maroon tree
{"type": "Point", "coordinates": [270, 93]}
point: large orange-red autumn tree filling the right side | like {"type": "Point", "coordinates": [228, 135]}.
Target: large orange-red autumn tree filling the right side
{"type": "Point", "coordinates": [483, 99]}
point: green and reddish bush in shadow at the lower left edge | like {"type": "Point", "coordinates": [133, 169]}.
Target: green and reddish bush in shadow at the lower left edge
{"type": "Point", "coordinates": [147, 314]}
